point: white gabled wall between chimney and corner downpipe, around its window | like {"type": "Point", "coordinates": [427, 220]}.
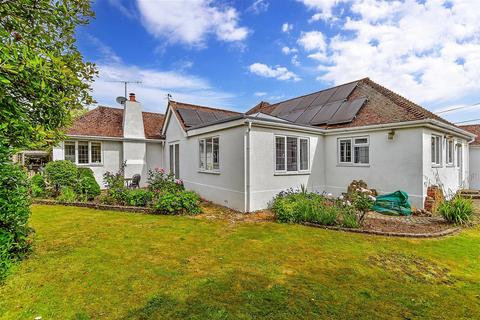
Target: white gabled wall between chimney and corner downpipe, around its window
{"type": "Point", "coordinates": [225, 188]}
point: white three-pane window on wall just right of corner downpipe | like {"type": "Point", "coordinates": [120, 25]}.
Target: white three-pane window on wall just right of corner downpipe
{"type": "Point", "coordinates": [291, 154]}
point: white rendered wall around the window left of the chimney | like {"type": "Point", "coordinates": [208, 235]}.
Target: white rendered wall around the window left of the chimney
{"type": "Point", "coordinates": [112, 155]}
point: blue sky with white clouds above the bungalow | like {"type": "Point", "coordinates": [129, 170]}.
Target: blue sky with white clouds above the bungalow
{"type": "Point", "coordinates": [233, 54]}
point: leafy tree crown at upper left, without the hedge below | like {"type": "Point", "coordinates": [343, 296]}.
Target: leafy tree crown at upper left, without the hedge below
{"type": "Point", "coordinates": [43, 78]}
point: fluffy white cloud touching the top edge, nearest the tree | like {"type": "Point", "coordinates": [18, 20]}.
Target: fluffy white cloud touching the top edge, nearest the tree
{"type": "Point", "coordinates": [191, 21]}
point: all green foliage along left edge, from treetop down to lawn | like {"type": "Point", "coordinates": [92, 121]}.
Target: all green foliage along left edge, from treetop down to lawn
{"type": "Point", "coordinates": [43, 81]}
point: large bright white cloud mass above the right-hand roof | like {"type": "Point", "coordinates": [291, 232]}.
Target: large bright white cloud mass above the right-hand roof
{"type": "Point", "coordinates": [428, 52]}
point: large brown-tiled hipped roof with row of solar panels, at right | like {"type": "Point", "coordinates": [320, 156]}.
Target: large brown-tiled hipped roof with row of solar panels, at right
{"type": "Point", "coordinates": [357, 103]}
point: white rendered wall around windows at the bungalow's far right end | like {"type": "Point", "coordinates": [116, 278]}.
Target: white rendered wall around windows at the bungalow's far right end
{"type": "Point", "coordinates": [444, 175]}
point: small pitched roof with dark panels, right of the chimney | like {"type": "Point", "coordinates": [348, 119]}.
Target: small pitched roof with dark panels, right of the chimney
{"type": "Point", "coordinates": [191, 115]}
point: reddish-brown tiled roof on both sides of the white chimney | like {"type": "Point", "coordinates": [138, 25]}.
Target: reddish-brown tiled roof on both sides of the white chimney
{"type": "Point", "coordinates": [108, 122]}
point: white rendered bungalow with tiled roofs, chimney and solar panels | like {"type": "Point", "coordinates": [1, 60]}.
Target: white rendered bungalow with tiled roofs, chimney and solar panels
{"type": "Point", "coordinates": [323, 140]}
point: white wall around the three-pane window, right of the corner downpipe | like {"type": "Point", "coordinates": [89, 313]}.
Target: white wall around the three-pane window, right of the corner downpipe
{"type": "Point", "coordinates": [264, 182]}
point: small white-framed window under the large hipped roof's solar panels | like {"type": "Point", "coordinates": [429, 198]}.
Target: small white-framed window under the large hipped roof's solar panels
{"type": "Point", "coordinates": [354, 151]}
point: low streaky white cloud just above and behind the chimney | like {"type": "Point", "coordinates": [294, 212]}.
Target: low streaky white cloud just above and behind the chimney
{"type": "Point", "coordinates": [155, 86]}
